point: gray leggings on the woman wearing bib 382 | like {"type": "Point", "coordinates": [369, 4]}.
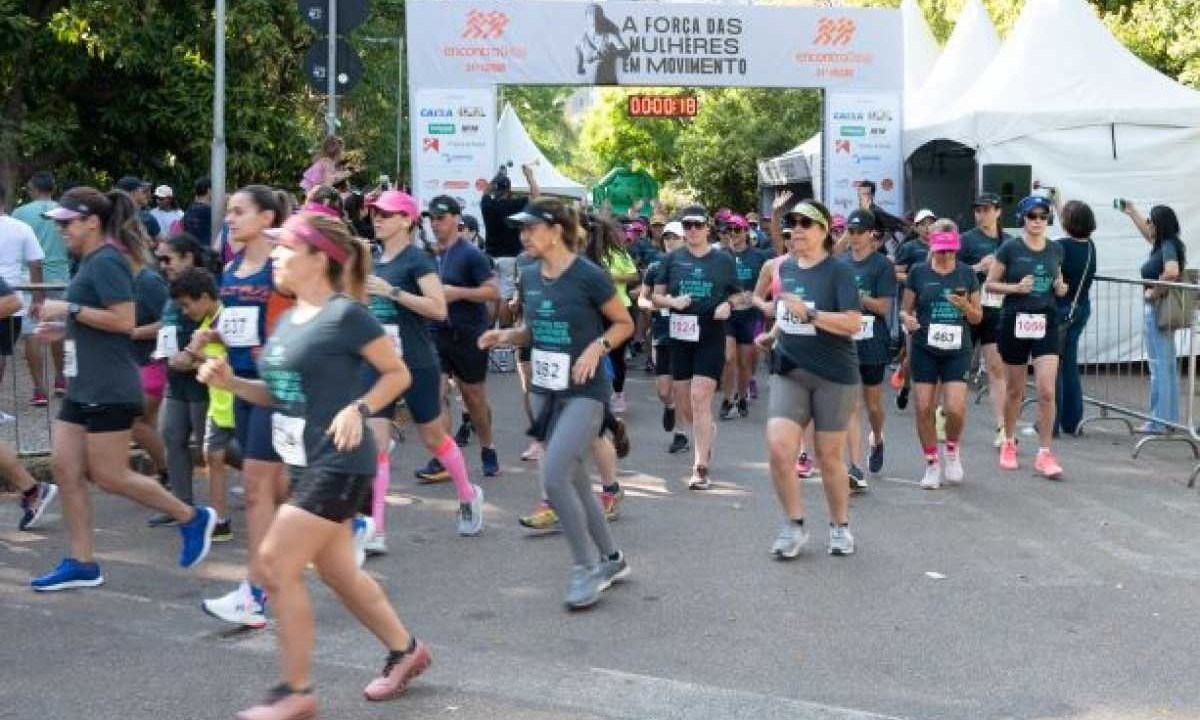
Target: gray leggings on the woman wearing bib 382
{"type": "Point", "coordinates": [572, 433]}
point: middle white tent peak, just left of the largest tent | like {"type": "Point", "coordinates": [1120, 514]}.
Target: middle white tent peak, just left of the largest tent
{"type": "Point", "coordinates": [970, 50]}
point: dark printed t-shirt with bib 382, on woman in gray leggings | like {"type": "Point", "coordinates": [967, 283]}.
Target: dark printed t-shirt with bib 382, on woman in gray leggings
{"type": "Point", "coordinates": [565, 317]}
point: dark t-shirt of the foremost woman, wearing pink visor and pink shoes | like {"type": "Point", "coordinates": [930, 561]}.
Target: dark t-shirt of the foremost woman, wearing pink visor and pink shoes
{"type": "Point", "coordinates": [305, 367]}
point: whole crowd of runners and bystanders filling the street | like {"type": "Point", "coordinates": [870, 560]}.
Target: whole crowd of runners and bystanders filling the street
{"type": "Point", "coordinates": [247, 343]}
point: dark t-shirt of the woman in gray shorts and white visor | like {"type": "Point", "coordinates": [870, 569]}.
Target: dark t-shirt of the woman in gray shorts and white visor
{"type": "Point", "coordinates": [830, 287]}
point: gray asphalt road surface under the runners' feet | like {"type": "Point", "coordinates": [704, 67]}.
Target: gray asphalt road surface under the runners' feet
{"type": "Point", "coordinates": [1010, 597]}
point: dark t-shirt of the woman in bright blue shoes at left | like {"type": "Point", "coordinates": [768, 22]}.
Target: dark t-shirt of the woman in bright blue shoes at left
{"type": "Point", "coordinates": [107, 371]}
